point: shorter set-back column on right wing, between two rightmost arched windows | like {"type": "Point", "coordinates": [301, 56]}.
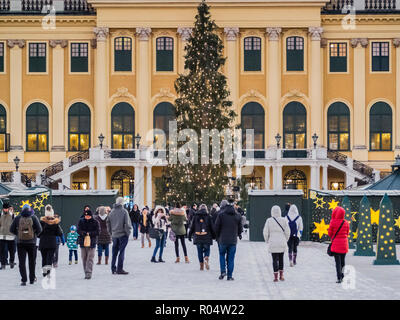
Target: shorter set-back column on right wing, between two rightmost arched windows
{"type": "Point", "coordinates": [360, 151]}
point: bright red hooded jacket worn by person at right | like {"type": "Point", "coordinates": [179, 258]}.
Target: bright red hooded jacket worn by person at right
{"type": "Point", "coordinates": [340, 244]}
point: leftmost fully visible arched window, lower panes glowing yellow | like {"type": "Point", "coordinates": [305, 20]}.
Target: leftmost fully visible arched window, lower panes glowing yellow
{"type": "Point", "coordinates": [37, 127]}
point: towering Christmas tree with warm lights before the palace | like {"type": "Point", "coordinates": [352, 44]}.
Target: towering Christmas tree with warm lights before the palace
{"type": "Point", "coordinates": [202, 103]}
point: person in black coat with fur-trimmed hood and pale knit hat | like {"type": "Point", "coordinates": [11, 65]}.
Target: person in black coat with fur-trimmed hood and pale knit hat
{"type": "Point", "coordinates": [48, 238]}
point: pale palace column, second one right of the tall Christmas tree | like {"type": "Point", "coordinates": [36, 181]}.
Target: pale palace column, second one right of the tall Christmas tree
{"type": "Point", "coordinates": [273, 84]}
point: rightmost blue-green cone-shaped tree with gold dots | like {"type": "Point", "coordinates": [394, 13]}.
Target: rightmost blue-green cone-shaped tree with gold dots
{"type": "Point", "coordinates": [386, 246]}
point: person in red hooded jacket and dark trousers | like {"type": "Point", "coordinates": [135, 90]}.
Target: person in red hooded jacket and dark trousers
{"type": "Point", "coordinates": [338, 232]}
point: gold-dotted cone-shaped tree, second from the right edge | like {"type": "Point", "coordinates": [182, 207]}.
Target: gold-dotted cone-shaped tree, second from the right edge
{"type": "Point", "coordinates": [364, 235]}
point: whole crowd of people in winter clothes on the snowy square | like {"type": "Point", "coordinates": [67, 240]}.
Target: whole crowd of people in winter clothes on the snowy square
{"type": "Point", "coordinates": [224, 223]}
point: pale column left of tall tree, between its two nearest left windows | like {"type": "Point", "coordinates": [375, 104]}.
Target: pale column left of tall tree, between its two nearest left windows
{"type": "Point", "coordinates": [143, 83]}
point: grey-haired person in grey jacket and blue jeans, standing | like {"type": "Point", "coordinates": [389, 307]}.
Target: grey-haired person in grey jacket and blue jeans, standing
{"type": "Point", "coordinates": [120, 227]}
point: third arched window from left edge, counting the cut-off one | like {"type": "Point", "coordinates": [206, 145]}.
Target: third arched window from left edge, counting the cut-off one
{"type": "Point", "coordinates": [78, 127]}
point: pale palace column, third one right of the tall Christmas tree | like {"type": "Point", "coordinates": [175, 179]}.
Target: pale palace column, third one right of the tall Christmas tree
{"type": "Point", "coordinates": [315, 89]}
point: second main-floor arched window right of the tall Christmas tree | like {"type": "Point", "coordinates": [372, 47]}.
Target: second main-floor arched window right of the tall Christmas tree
{"type": "Point", "coordinates": [294, 126]}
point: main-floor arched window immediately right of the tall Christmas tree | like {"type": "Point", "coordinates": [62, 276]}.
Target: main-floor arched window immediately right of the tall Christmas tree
{"type": "Point", "coordinates": [253, 117]}
